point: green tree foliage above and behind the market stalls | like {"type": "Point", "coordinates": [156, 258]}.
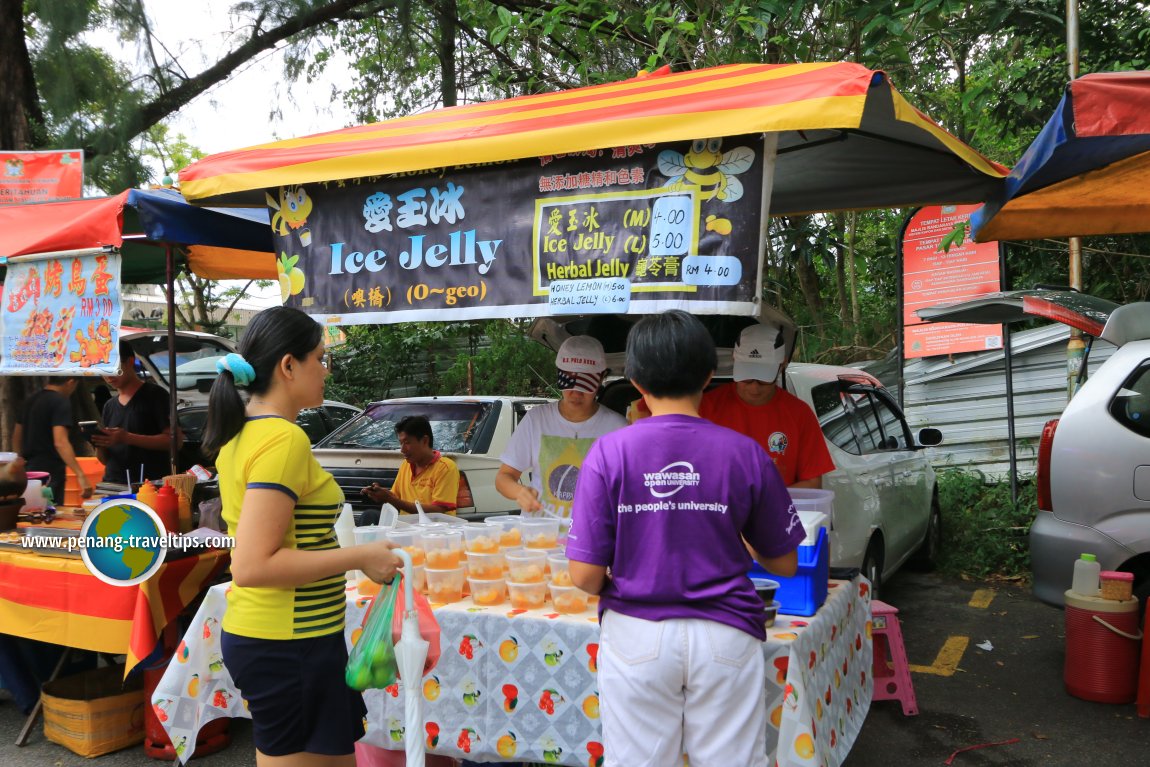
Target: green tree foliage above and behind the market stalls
{"type": "Point", "coordinates": [990, 72]}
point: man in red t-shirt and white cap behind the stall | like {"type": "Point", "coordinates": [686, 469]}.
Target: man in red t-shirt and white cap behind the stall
{"type": "Point", "coordinates": [760, 408]}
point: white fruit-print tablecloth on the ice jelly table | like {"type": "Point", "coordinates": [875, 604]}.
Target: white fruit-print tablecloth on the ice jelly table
{"type": "Point", "coordinates": [516, 686]}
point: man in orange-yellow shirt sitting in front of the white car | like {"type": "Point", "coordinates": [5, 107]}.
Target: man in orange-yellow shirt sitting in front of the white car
{"type": "Point", "coordinates": [426, 475]}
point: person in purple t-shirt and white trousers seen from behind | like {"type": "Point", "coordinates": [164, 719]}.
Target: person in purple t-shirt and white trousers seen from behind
{"type": "Point", "coordinates": [668, 516]}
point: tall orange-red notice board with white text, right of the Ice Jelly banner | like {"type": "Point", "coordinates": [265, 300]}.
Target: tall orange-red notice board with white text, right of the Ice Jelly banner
{"type": "Point", "coordinates": [933, 277]}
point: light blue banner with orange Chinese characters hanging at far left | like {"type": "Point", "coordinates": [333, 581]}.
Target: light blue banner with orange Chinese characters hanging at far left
{"type": "Point", "coordinates": [62, 316]}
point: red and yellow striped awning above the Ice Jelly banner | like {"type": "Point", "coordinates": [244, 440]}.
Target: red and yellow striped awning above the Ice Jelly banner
{"type": "Point", "coordinates": [849, 141]}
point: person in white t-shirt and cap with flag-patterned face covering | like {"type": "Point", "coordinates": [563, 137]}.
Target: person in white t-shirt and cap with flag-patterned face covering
{"type": "Point", "coordinates": [553, 440]}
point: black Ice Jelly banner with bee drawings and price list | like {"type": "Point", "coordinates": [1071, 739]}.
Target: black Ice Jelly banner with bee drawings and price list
{"type": "Point", "coordinates": [633, 229]}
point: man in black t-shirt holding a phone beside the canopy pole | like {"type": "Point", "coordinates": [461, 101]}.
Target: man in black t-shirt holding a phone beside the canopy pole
{"type": "Point", "coordinates": [137, 428]}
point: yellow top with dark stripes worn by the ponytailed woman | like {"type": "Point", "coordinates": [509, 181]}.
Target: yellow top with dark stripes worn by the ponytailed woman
{"type": "Point", "coordinates": [274, 454]}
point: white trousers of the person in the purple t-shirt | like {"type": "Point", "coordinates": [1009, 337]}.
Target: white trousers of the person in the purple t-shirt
{"type": "Point", "coordinates": [669, 688]}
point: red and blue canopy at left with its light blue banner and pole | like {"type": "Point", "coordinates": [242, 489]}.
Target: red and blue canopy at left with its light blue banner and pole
{"type": "Point", "coordinates": [66, 265]}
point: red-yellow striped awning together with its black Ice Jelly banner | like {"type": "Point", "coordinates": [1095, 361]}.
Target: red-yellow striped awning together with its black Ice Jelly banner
{"type": "Point", "coordinates": [626, 198]}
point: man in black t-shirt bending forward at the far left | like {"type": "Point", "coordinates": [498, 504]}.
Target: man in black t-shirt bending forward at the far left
{"type": "Point", "coordinates": [43, 435]}
